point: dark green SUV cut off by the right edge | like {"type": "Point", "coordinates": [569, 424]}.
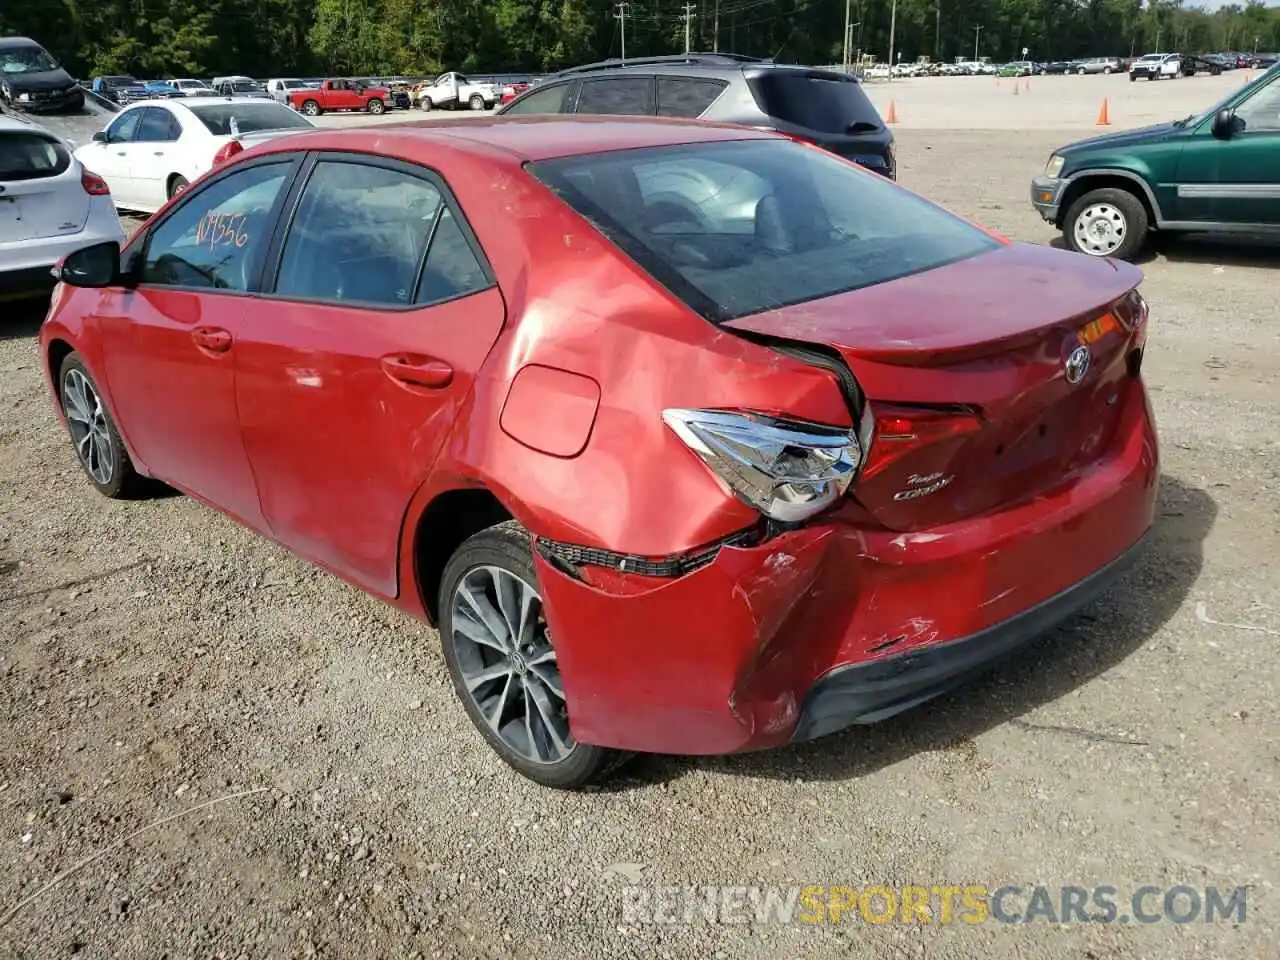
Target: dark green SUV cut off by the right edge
{"type": "Point", "coordinates": [1213, 172]}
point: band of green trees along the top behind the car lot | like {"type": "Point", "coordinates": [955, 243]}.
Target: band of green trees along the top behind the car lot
{"type": "Point", "coordinates": [310, 38]}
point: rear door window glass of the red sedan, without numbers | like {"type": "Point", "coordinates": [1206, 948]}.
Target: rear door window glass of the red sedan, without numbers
{"type": "Point", "coordinates": [362, 234]}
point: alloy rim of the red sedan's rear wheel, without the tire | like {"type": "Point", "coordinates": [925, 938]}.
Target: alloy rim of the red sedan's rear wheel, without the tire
{"type": "Point", "coordinates": [508, 664]}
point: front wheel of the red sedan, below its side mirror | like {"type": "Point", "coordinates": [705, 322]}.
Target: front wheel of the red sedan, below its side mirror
{"type": "Point", "coordinates": [97, 442]}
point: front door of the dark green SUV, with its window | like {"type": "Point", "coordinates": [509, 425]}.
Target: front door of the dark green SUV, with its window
{"type": "Point", "coordinates": [1236, 181]}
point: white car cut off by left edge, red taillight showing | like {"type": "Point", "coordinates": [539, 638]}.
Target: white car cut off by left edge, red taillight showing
{"type": "Point", "coordinates": [51, 207]}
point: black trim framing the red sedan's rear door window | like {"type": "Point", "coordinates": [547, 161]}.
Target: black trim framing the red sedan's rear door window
{"type": "Point", "coordinates": [275, 250]}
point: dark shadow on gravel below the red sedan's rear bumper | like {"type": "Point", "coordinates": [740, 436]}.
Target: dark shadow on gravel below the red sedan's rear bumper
{"type": "Point", "coordinates": [1094, 642]}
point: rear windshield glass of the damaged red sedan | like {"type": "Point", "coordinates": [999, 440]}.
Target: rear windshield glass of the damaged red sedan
{"type": "Point", "coordinates": [739, 228]}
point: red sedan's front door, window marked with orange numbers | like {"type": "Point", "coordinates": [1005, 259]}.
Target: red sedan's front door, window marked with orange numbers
{"type": "Point", "coordinates": [171, 345]}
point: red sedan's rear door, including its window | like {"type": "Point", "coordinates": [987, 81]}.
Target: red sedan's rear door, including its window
{"type": "Point", "coordinates": [351, 376]}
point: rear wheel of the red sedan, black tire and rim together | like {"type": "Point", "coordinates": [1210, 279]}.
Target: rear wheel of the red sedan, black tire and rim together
{"type": "Point", "coordinates": [537, 748]}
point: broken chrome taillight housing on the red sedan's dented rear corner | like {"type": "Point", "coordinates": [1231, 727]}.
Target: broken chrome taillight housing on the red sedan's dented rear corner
{"type": "Point", "coordinates": [787, 469]}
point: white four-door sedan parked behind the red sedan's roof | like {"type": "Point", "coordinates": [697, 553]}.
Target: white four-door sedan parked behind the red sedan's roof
{"type": "Point", "coordinates": [154, 149]}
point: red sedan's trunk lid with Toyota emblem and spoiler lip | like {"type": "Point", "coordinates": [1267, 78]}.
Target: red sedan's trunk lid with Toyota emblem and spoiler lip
{"type": "Point", "coordinates": [967, 373]}
